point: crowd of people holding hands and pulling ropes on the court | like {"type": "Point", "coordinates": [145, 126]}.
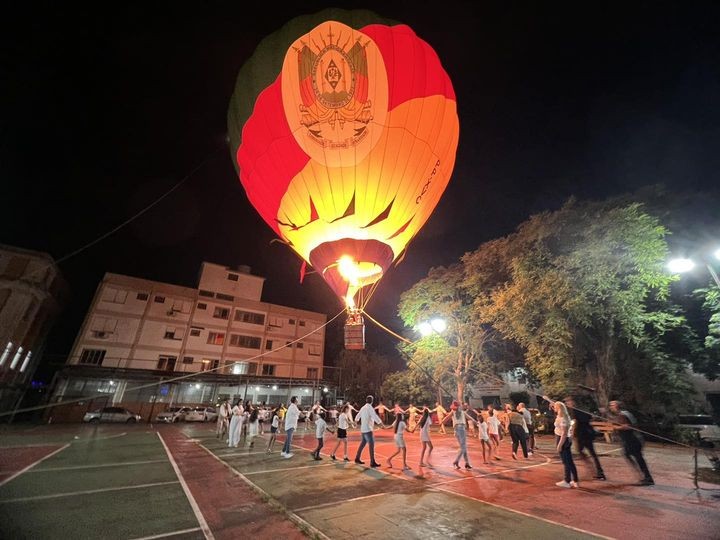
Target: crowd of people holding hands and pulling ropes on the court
{"type": "Point", "coordinates": [489, 425]}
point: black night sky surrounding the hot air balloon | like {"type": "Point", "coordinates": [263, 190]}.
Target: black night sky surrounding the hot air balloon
{"type": "Point", "coordinates": [103, 111]}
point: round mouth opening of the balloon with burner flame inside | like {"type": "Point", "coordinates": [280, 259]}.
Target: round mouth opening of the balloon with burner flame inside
{"type": "Point", "coordinates": [348, 265]}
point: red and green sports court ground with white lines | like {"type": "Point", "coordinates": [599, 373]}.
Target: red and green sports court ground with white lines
{"type": "Point", "coordinates": [180, 481]}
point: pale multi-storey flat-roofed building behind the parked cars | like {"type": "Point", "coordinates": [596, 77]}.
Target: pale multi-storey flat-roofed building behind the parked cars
{"type": "Point", "coordinates": [144, 343]}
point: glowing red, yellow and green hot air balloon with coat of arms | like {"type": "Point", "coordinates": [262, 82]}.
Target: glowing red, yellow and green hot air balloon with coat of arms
{"type": "Point", "coordinates": [343, 129]}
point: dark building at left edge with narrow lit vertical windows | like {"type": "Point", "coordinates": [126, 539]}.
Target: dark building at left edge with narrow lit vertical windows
{"type": "Point", "coordinates": [31, 294]}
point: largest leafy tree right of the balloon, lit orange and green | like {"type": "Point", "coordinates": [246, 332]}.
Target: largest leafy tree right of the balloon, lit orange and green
{"type": "Point", "coordinates": [572, 287]}
